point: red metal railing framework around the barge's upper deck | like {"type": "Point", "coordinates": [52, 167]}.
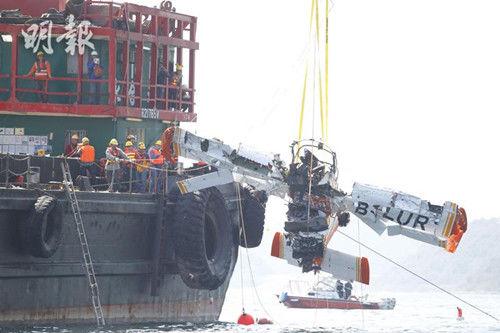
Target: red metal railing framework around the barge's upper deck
{"type": "Point", "coordinates": [164, 29]}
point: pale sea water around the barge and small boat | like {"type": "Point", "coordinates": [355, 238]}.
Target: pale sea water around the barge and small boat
{"type": "Point", "coordinates": [414, 313]}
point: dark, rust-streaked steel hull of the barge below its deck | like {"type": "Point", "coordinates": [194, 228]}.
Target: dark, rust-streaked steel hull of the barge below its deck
{"type": "Point", "coordinates": [136, 271]}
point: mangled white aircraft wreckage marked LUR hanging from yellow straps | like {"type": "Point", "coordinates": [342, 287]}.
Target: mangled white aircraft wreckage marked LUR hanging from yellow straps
{"type": "Point", "coordinates": [317, 207]}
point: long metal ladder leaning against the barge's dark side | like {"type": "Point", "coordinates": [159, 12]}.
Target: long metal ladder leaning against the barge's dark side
{"type": "Point", "coordinates": [89, 267]}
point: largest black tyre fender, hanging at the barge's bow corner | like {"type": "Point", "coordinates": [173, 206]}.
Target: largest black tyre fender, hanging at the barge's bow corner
{"type": "Point", "coordinates": [203, 234]}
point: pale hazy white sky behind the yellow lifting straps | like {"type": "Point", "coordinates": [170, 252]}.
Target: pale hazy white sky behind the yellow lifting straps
{"type": "Point", "coordinates": [414, 88]}
